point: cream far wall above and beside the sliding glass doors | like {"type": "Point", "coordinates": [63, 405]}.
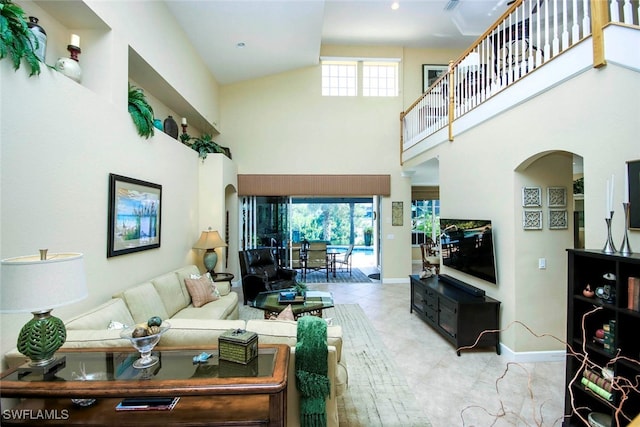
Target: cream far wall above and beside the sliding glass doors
{"type": "Point", "coordinates": [282, 125]}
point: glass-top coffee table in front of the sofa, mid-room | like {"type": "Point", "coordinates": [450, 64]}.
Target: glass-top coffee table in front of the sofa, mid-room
{"type": "Point", "coordinates": [313, 304]}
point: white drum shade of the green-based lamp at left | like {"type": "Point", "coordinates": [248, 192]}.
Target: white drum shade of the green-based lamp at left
{"type": "Point", "coordinates": [30, 284]}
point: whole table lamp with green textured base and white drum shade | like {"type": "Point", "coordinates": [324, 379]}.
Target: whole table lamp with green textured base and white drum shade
{"type": "Point", "coordinates": [38, 284]}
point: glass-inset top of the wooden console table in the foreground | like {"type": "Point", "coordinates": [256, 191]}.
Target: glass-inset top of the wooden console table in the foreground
{"type": "Point", "coordinates": [92, 370]}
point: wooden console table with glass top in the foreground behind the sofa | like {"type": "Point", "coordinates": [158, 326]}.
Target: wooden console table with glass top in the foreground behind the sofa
{"type": "Point", "coordinates": [213, 394]}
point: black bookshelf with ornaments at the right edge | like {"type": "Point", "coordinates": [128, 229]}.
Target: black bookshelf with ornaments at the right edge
{"type": "Point", "coordinates": [587, 267]}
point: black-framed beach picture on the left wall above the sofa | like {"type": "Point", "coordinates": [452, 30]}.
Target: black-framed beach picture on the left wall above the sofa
{"type": "Point", "coordinates": [135, 212]}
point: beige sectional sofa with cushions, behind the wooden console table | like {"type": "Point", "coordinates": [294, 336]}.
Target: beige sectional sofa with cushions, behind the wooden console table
{"type": "Point", "coordinates": [167, 296]}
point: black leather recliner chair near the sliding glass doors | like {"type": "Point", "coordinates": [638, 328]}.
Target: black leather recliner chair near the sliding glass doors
{"type": "Point", "coordinates": [260, 273]}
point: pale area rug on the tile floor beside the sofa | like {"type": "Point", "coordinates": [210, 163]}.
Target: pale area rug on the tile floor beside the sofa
{"type": "Point", "coordinates": [378, 394]}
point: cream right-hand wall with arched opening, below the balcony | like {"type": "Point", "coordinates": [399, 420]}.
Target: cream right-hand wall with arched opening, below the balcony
{"type": "Point", "coordinates": [482, 173]}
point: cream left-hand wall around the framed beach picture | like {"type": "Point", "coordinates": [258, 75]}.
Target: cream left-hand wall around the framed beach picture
{"type": "Point", "coordinates": [59, 140]}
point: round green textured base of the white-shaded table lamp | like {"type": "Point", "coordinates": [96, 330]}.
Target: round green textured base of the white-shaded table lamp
{"type": "Point", "coordinates": [41, 337]}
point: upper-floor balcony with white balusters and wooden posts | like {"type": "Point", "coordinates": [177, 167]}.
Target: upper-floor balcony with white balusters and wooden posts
{"type": "Point", "coordinates": [533, 46]}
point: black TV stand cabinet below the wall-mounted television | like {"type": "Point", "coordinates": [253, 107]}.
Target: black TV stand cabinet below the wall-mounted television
{"type": "Point", "coordinates": [456, 310]}
